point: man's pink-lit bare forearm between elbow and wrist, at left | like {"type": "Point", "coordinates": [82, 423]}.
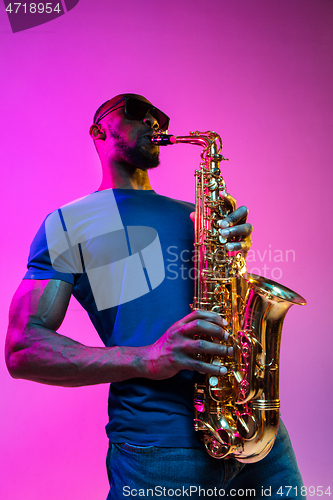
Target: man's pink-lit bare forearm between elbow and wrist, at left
{"type": "Point", "coordinates": [49, 358]}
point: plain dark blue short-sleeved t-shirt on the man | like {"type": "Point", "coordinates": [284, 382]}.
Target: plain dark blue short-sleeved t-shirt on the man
{"type": "Point", "coordinates": [128, 254]}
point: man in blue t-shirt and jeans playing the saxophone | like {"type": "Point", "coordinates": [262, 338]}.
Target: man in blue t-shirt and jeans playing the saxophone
{"type": "Point", "coordinates": [120, 251]}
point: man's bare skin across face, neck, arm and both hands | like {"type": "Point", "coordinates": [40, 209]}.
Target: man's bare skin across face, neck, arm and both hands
{"type": "Point", "coordinates": [34, 349]}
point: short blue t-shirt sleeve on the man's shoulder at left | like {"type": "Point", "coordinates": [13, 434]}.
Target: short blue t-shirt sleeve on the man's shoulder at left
{"type": "Point", "coordinates": [51, 254]}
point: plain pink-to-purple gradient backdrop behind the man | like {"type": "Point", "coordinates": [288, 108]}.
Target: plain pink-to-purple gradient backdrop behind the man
{"type": "Point", "coordinates": [257, 71]}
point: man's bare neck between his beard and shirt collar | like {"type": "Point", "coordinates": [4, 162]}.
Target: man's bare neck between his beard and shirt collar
{"type": "Point", "coordinates": [124, 176]}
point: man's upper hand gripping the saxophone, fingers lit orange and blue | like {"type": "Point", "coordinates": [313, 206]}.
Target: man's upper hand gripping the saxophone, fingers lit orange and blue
{"type": "Point", "coordinates": [235, 229]}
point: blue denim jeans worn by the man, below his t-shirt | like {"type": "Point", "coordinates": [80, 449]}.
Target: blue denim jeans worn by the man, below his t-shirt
{"type": "Point", "coordinates": [153, 472]}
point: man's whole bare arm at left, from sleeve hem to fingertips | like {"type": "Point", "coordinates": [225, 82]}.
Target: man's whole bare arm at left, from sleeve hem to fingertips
{"type": "Point", "coordinates": [35, 351]}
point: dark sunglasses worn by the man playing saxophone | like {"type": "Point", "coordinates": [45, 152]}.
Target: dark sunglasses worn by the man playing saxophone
{"type": "Point", "coordinates": [138, 110]}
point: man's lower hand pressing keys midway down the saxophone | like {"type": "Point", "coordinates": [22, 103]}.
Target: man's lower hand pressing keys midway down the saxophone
{"type": "Point", "coordinates": [178, 350]}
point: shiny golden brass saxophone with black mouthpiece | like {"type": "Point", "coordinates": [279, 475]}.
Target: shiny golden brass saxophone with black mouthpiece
{"type": "Point", "coordinates": [237, 413]}
